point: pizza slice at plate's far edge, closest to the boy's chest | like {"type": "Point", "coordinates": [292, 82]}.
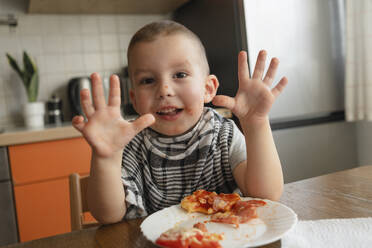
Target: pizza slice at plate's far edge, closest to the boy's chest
{"type": "Point", "coordinates": [206, 202]}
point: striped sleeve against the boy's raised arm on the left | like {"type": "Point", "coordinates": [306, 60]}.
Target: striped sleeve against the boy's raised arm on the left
{"type": "Point", "coordinates": [133, 184]}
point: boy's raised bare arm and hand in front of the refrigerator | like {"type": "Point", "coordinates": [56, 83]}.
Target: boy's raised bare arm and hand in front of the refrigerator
{"type": "Point", "coordinates": [261, 174]}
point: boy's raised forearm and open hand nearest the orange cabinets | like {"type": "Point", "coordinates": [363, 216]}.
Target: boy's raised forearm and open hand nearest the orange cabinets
{"type": "Point", "coordinates": [107, 133]}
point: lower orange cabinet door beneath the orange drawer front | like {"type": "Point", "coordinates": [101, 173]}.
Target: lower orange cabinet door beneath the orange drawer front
{"type": "Point", "coordinates": [43, 209]}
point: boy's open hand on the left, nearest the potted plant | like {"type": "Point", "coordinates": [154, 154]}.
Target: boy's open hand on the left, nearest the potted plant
{"type": "Point", "coordinates": [105, 130]}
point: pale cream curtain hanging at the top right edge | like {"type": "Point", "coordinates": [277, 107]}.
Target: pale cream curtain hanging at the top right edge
{"type": "Point", "coordinates": [358, 63]}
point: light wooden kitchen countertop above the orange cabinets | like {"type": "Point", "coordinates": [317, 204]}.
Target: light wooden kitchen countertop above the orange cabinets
{"type": "Point", "coordinates": [16, 136]}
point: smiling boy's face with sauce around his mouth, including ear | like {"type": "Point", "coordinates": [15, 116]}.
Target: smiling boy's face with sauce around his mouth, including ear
{"type": "Point", "coordinates": [171, 82]}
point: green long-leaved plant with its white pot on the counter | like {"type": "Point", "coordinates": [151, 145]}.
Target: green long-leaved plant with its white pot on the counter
{"type": "Point", "coordinates": [33, 111]}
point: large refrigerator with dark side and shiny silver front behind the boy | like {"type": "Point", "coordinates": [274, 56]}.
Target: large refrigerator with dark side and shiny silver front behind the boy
{"type": "Point", "coordinates": [307, 36]}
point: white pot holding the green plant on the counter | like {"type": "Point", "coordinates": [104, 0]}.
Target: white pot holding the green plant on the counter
{"type": "Point", "coordinates": [33, 114]}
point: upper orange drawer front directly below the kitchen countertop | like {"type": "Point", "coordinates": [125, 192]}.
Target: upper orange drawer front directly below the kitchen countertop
{"type": "Point", "coordinates": [49, 160]}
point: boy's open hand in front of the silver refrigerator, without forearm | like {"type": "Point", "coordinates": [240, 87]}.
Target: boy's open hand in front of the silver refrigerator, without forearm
{"type": "Point", "coordinates": [254, 98]}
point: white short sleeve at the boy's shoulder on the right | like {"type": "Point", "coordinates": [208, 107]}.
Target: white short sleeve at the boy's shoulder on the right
{"type": "Point", "coordinates": [237, 152]}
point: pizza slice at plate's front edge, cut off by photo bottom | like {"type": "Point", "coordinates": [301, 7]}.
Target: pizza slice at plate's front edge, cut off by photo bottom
{"type": "Point", "coordinates": [196, 237]}
